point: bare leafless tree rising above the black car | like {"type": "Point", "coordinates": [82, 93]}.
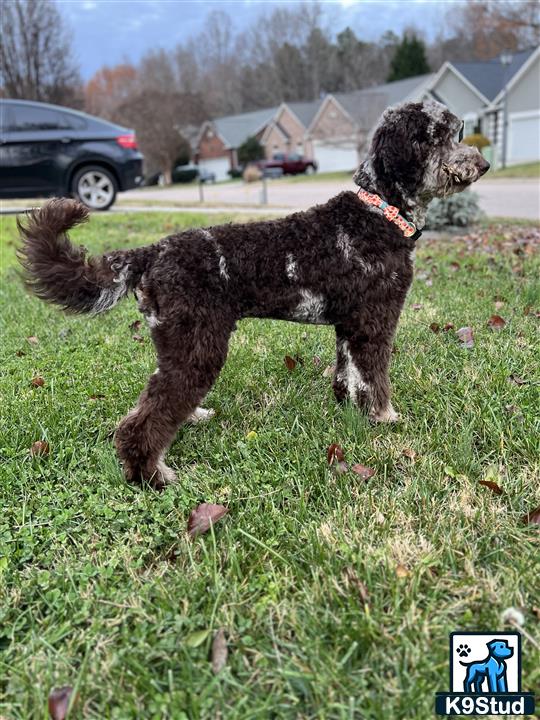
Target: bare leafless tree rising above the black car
{"type": "Point", "coordinates": [35, 54]}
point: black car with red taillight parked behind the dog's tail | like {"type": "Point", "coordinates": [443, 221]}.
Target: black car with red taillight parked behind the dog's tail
{"type": "Point", "coordinates": [50, 150]}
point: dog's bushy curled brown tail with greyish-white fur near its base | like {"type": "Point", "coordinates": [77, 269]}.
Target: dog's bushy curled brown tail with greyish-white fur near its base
{"type": "Point", "coordinates": [60, 273]}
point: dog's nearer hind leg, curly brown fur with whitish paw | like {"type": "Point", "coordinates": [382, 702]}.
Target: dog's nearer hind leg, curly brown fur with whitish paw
{"type": "Point", "coordinates": [191, 354]}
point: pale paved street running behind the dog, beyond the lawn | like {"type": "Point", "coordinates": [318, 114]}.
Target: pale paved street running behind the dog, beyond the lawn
{"type": "Point", "coordinates": [509, 198]}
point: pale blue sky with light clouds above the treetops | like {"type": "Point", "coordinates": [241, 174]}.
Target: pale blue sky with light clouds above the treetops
{"type": "Point", "coordinates": [107, 32]}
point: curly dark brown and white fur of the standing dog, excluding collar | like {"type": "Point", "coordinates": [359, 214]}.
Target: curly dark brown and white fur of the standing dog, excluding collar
{"type": "Point", "coordinates": [342, 263]}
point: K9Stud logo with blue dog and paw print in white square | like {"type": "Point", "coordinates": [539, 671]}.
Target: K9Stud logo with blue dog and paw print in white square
{"type": "Point", "coordinates": [485, 676]}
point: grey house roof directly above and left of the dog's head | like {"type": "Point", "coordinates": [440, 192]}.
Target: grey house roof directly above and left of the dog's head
{"type": "Point", "coordinates": [365, 106]}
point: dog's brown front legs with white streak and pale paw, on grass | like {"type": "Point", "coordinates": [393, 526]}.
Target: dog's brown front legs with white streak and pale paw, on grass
{"type": "Point", "coordinates": [362, 372]}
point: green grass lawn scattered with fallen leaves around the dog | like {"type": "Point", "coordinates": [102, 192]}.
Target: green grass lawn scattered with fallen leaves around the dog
{"type": "Point", "coordinates": [337, 594]}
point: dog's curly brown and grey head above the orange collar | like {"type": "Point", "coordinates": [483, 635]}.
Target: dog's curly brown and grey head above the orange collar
{"type": "Point", "coordinates": [415, 155]}
